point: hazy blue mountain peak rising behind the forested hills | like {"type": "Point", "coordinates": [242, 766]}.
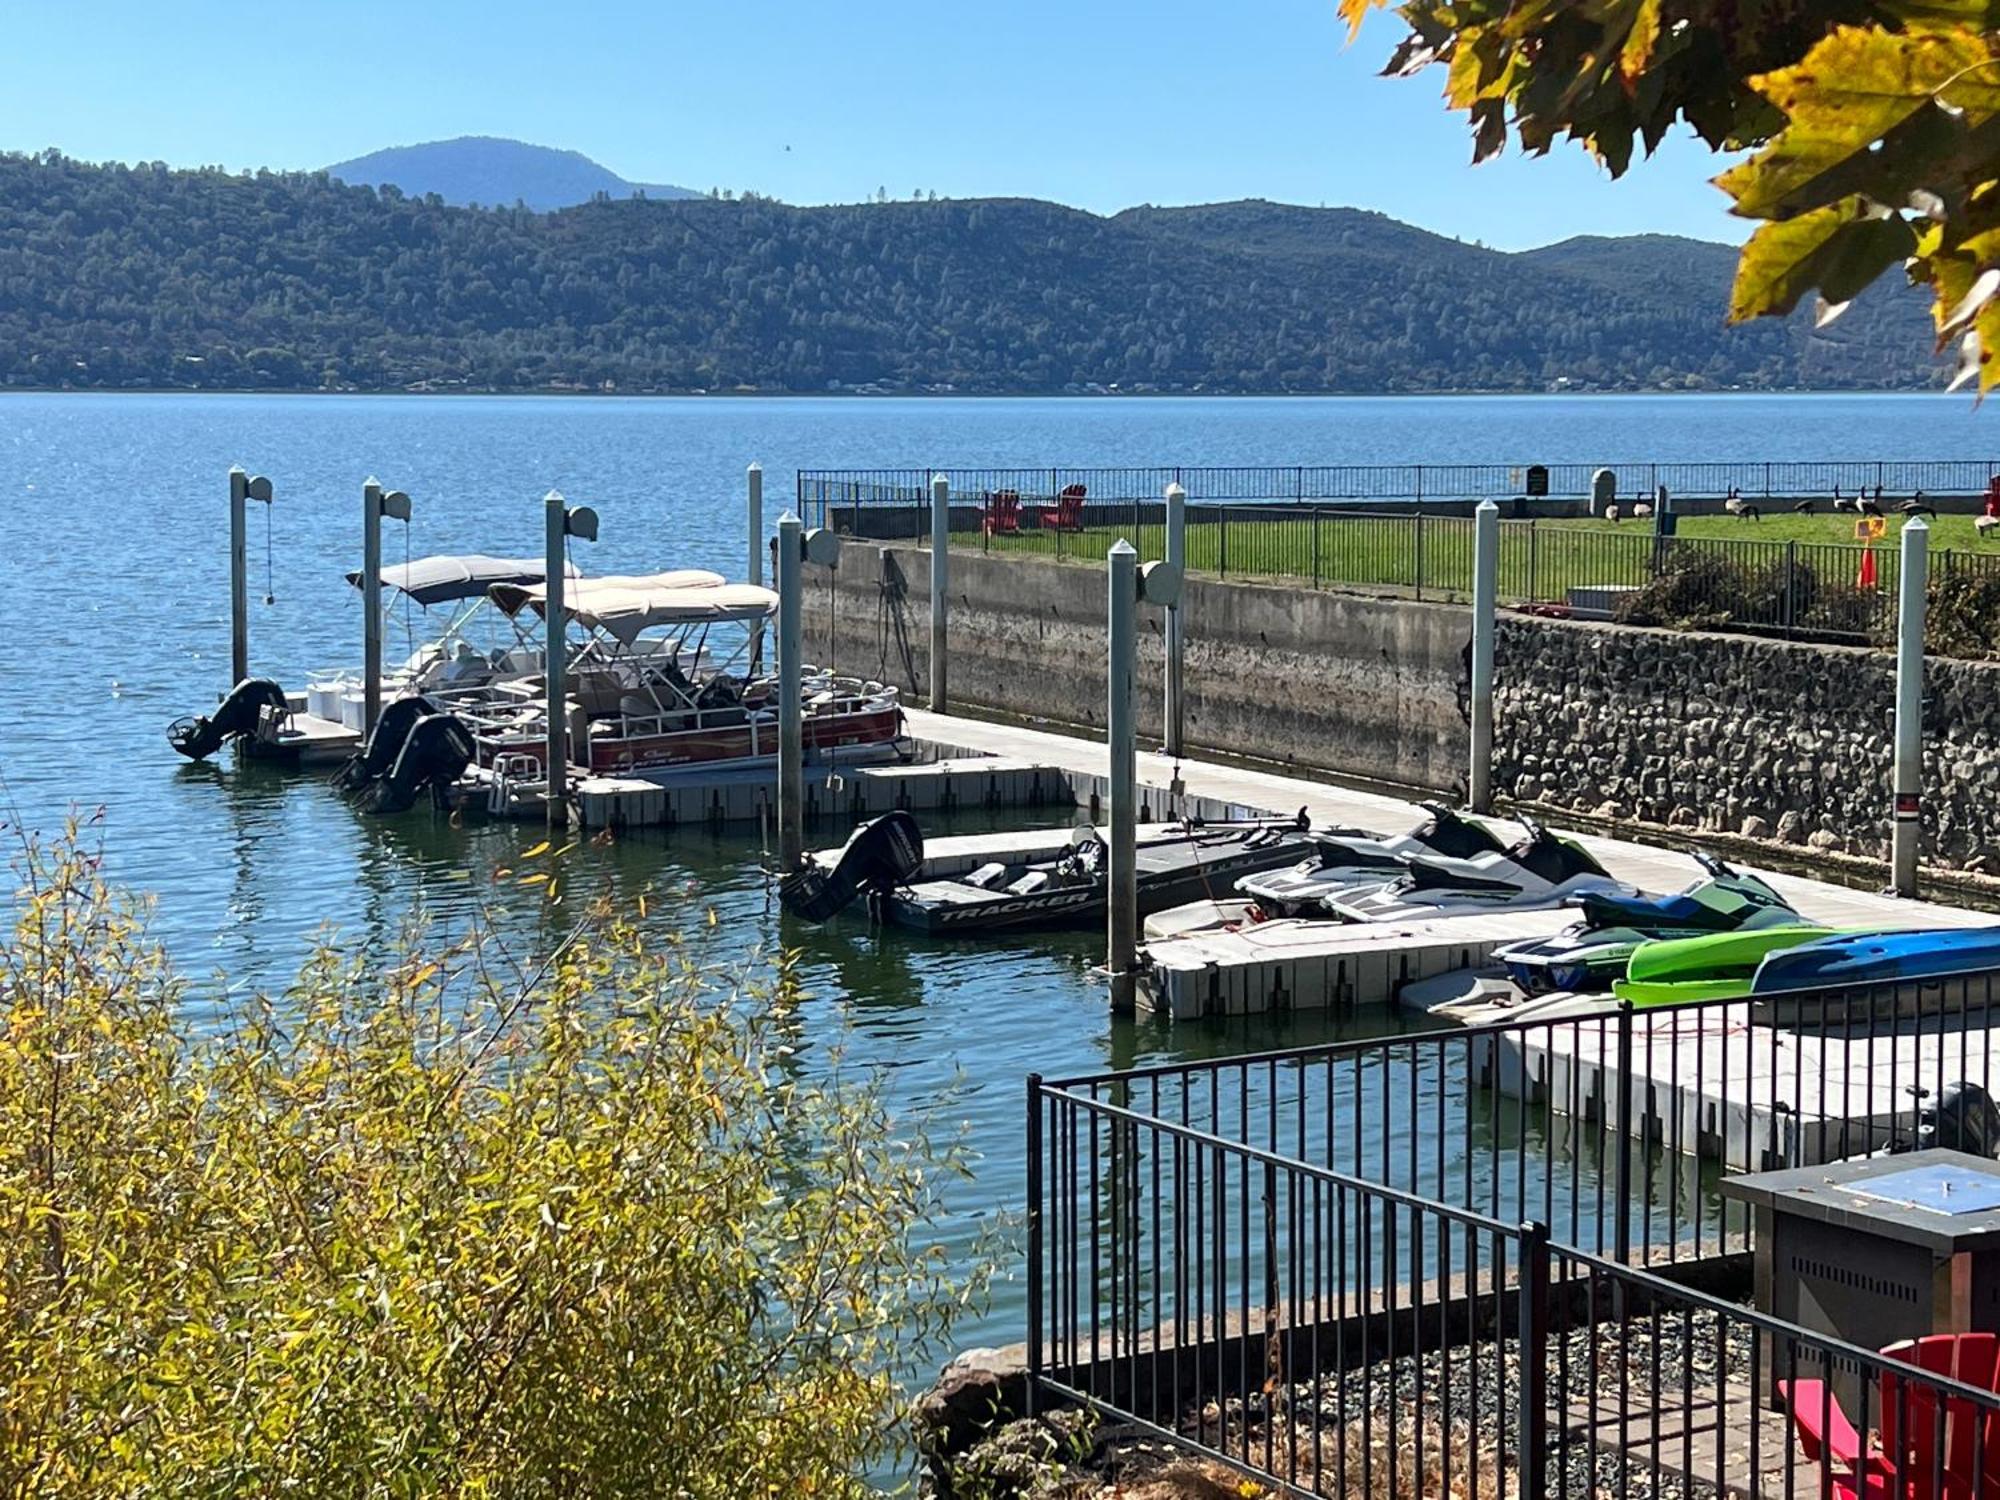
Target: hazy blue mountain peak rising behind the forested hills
{"type": "Point", "coordinates": [495, 173]}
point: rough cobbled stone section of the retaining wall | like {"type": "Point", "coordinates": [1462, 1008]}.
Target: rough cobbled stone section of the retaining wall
{"type": "Point", "coordinates": [1747, 737]}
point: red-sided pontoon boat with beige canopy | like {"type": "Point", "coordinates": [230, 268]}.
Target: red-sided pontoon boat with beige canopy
{"type": "Point", "coordinates": [665, 683]}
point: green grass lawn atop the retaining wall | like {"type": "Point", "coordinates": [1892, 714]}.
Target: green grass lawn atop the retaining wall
{"type": "Point", "coordinates": [1537, 561]}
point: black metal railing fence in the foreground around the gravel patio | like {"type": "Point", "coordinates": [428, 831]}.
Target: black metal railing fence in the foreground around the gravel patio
{"type": "Point", "coordinates": [1469, 1249]}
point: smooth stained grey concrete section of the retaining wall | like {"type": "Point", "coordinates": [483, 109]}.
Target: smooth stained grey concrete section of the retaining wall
{"type": "Point", "coordinates": [1325, 681]}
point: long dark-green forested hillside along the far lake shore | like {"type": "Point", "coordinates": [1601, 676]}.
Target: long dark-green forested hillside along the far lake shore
{"type": "Point", "coordinates": [147, 277]}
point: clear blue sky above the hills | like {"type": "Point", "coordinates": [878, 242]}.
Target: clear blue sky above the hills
{"type": "Point", "coordinates": [1093, 103]}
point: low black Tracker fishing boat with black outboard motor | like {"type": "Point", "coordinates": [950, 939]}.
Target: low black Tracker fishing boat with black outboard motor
{"type": "Point", "coordinates": [1173, 863]}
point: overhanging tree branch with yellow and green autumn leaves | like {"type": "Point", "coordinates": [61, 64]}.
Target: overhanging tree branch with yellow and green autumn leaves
{"type": "Point", "coordinates": [1873, 129]}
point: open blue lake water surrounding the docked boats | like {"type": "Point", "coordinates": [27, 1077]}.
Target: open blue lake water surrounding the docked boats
{"type": "Point", "coordinates": [117, 549]}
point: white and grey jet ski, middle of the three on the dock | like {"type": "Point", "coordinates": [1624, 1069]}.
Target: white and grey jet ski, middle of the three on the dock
{"type": "Point", "coordinates": [1539, 873]}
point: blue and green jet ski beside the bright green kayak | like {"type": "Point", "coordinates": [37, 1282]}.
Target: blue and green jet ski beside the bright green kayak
{"type": "Point", "coordinates": [1593, 953]}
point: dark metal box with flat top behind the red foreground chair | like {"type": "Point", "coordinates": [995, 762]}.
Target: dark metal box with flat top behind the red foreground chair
{"type": "Point", "coordinates": [1873, 1251]}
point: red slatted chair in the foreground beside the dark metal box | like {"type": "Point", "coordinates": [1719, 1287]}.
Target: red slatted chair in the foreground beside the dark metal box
{"type": "Point", "coordinates": [1909, 1427]}
